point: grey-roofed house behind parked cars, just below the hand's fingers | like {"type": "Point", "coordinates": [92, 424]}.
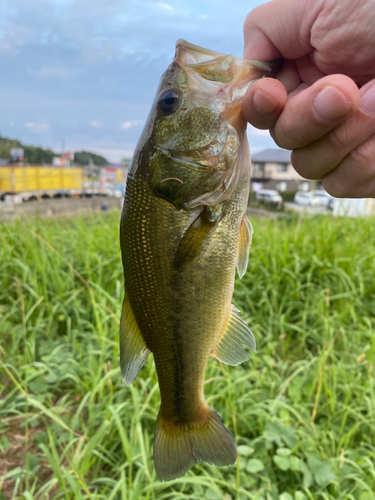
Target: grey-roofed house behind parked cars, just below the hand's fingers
{"type": "Point", "coordinates": [272, 169]}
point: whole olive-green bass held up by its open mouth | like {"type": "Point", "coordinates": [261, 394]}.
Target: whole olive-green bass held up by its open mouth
{"type": "Point", "coordinates": [183, 232]}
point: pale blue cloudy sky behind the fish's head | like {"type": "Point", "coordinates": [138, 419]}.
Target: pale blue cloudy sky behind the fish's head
{"type": "Point", "coordinates": [83, 72]}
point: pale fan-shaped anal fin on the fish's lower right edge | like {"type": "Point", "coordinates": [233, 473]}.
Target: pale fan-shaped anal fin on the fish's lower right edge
{"type": "Point", "coordinates": [229, 349]}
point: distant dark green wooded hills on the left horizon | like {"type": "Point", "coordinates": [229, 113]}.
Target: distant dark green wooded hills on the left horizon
{"type": "Point", "coordinates": [36, 154]}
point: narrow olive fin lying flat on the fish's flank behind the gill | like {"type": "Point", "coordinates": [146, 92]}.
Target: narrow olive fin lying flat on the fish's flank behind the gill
{"type": "Point", "coordinates": [195, 238]}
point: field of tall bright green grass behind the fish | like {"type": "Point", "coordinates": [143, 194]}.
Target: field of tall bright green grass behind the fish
{"type": "Point", "coordinates": [302, 409]}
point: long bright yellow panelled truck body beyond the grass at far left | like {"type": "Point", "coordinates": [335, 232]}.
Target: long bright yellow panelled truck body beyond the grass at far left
{"type": "Point", "coordinates": [38, 181]}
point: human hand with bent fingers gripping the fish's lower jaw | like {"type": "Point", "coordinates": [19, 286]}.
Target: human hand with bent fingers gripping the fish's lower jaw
{"type": "Point", "coordinates": [315, 106]}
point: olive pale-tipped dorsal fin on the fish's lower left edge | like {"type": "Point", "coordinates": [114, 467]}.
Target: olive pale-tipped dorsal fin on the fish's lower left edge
{"type": "Point", "coordinates": [133, 349]}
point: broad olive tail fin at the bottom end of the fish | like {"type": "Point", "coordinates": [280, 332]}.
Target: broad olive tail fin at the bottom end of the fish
{"type": "Point", "coordinates": [178, 447]}
